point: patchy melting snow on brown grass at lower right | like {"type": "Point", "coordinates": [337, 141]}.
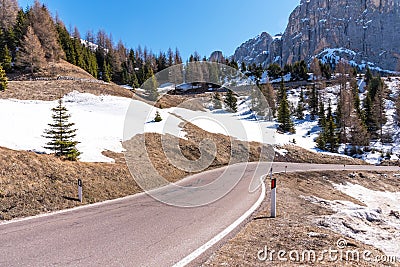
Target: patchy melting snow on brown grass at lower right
{"type": "Point", "coordinates": [374, 224]}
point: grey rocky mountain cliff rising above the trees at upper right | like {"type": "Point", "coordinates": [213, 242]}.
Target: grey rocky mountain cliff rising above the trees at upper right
{"type": "Point", "coordinates": [362, 31]}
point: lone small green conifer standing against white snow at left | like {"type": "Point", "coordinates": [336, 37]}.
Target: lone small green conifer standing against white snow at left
{"type": "Point", "coordinates": [61, 134]}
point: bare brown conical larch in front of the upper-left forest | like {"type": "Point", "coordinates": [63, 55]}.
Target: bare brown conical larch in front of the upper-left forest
{"type": "Point", "coordinates": [31, 54]}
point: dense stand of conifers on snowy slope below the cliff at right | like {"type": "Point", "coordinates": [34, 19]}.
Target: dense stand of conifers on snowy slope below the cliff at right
{"type": "Point", "coordinates": [353, 122]}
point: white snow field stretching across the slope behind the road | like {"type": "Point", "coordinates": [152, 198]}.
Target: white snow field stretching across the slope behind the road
{"type": "Point", "coordinates": [100, 121]}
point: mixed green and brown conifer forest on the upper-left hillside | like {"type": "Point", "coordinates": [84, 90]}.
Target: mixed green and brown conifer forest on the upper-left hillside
{"type": "Point", "coordinates": [32, 38]}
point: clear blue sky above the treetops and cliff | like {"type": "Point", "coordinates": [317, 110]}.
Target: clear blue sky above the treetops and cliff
{"type": "Point", "coordinates": [197, 25]}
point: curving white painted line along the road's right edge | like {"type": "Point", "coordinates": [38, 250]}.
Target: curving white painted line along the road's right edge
{"type": "Point", "coordinates": [192, 256]}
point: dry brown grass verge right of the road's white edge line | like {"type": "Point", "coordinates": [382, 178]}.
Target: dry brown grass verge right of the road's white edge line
{"type": "Point", "coordinates": [295, 220]}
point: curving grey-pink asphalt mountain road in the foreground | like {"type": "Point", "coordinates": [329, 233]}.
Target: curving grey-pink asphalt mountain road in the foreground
{"type": "Point", "coordinates": [137, 230]}
